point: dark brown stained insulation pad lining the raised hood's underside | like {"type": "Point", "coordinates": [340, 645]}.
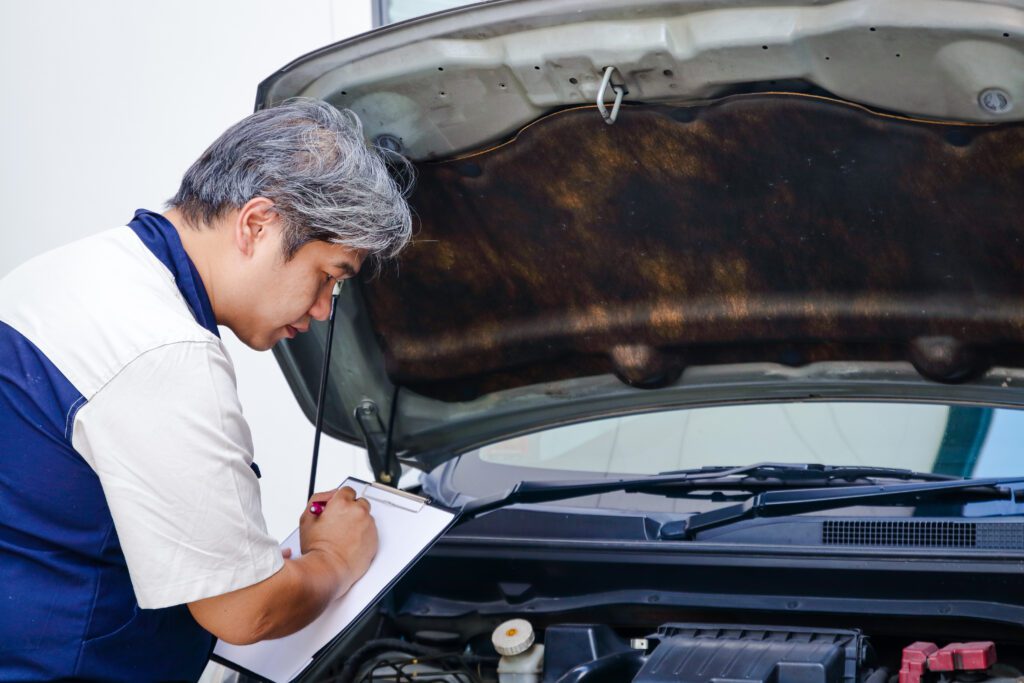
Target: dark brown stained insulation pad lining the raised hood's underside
{"type": "Point", "coordinates": [761, 228]}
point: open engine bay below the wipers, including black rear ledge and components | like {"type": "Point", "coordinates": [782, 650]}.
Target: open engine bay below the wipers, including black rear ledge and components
{"type": "Point", "coordinates": [489, 609]}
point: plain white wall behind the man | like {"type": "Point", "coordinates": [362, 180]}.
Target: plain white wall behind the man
{"type": "Point", "coordinates": [106, 104]}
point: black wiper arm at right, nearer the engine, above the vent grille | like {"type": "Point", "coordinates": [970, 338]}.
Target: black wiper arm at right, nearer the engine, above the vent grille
{"type": "Point", "coordinates": [784, 503]}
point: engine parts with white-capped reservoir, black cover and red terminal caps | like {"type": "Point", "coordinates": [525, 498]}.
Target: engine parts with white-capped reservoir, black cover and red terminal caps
{"type": "Point", "coordinates": [691, 653]}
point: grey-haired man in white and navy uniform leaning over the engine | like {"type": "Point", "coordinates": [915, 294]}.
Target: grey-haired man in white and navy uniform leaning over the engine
{"type": "Point", "coordinates": [131, 524]}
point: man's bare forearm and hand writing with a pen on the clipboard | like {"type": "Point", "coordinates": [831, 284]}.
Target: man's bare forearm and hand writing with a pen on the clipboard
{"type": "Point", "coordinates": [337, 548]}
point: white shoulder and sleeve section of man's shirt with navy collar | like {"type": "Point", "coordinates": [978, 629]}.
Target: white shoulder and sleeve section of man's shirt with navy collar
{"type": "Point", "coordinates": [158, 417]}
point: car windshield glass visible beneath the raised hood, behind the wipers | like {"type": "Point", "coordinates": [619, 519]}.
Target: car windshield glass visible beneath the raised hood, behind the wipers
{"type": "Point", "coordinates": [959, 441]}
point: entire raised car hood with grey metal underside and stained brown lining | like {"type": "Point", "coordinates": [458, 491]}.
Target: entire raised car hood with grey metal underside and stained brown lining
{"type": "Point", "coordinates": [796, 202]}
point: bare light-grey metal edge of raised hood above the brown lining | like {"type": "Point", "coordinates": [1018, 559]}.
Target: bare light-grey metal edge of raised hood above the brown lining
{"type": "Point", "coordinates": [452, 81]}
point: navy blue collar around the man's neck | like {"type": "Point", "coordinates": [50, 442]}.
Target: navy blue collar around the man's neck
{"type": "Point", "coordinates": [160, 237]}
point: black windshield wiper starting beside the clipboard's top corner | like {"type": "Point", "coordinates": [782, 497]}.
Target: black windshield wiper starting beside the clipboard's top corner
{"type": "Point", "coordinates": [760, 478]}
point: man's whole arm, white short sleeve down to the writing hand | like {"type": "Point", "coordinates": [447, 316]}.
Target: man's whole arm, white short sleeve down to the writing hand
{"type": "Point", "coordinates": [175, 466]}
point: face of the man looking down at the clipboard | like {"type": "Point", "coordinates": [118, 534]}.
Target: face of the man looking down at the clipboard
{"type": "Point", "coordinates": [282, 297]}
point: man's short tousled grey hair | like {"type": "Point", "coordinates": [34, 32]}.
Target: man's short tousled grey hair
{"type": "Point", "coordinates": [313, 162]}
